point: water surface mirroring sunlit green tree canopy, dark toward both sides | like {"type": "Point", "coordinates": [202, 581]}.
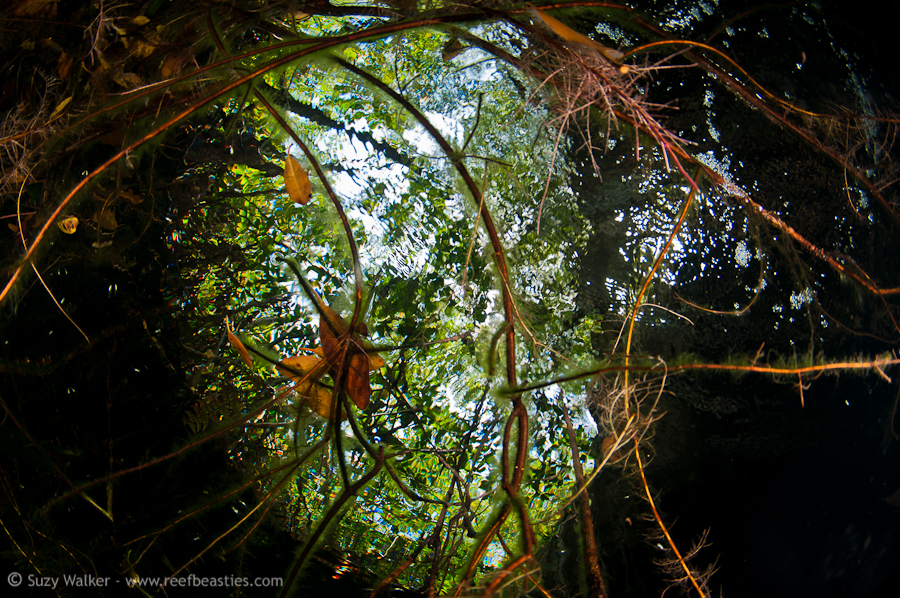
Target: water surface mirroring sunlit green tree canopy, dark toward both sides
{"type": "Point", "coordinates": [779, 276]}
